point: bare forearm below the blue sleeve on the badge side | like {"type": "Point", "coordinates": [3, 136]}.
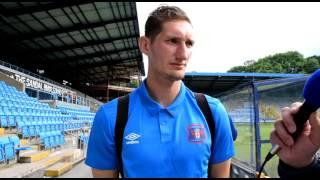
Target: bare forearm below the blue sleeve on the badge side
{"type": "Point", "coordinates": [220, 170]}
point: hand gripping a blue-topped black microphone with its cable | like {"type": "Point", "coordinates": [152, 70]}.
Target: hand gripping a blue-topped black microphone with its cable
{"type": "Point", "coordinates": [297, 139]}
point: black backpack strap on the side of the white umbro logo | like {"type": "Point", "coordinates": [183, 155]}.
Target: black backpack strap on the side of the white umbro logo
{"type": "Point", "coordinates": [121, 121]}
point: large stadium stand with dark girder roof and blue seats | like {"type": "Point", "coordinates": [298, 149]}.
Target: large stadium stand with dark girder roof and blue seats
{"type": "Point", "coordinates": [45, 76]}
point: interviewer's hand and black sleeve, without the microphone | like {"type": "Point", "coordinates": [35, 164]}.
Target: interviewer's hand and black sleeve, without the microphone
{"type": "Point", "coordinates": [297, 158]}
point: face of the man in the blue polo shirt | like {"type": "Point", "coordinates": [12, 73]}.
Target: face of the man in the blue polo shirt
{"type": "Point", "coordinates": [171, 49]}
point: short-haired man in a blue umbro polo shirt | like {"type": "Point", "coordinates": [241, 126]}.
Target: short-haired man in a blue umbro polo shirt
{"type": "Point", "coordinates": [166, 134]}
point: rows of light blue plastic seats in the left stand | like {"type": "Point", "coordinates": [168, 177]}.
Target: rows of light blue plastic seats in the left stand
{"type": "Point", "coordinates": [29, 118]}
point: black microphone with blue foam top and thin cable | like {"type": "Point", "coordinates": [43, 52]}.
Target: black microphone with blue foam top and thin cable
{"type": "Point", "coordinates": [311, 95]}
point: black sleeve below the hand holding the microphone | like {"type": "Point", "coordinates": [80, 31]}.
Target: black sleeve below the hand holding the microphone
{"type": "Point", "coordinates": [313, 170]}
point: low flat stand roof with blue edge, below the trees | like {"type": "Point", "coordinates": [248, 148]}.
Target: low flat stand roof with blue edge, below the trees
{"type": "Point", "coordinates": [217, 83]}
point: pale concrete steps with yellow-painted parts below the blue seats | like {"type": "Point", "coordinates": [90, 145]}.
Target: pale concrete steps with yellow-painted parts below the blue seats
{"type": "Point", "coordinates": [38, 163]}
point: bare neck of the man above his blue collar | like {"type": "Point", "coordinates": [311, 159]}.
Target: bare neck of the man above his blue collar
{"type": "Point", "coordinates": [163, 91]}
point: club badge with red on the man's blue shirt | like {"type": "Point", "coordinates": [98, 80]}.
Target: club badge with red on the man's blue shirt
{"type": "Point", "coordinates": [196, 133]}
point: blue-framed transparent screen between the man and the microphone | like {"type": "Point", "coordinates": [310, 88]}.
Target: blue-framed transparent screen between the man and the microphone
{"type": "Point", "coordinates": [254, 107]}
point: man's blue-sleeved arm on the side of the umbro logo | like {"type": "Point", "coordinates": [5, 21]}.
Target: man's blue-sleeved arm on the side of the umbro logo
{"type": "Point", "coordinates": [101, 152]}
